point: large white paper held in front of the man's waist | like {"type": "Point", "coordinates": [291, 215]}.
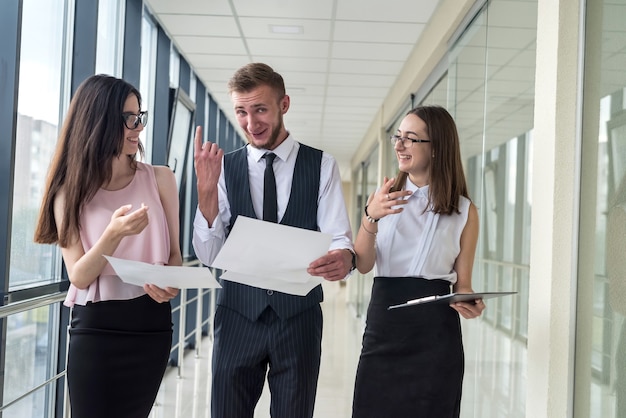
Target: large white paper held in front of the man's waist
{"type": "Point", "coordinates": [271, 256]}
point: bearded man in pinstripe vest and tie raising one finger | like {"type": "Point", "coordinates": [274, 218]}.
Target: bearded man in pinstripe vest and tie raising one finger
{"type": "Point", "coordinates": [259, 331]}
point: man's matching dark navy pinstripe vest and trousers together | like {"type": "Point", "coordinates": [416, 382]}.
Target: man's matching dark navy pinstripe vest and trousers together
{"type": "Point", "coordinates": [254, 327]}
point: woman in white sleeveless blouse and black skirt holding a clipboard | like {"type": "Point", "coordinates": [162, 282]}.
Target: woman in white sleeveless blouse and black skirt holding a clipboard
{"type": "Point", "coordinates": [419, 231]}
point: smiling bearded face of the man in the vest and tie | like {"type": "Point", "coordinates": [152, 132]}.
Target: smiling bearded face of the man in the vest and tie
{"type": "Point", "coordinates": [260, 115]}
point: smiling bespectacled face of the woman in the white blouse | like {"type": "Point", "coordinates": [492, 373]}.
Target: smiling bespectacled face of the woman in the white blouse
{"type": "Point", "coordinates": [416, 159]}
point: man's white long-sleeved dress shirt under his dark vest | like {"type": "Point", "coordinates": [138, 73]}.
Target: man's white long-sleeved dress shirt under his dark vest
{"type": "Point", "coordinates": [332, 217]}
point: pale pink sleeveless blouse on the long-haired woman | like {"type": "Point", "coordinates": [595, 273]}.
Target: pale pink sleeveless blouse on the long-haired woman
{"type": "Point", "coordinates": [152, 245]}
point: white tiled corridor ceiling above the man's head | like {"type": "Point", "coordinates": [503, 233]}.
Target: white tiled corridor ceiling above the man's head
{"type": "Point", "coordinates": [339, 58]}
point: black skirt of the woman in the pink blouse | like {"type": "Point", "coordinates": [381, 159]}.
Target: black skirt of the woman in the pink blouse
{"type": "Point", "coordinates": [118, 352]}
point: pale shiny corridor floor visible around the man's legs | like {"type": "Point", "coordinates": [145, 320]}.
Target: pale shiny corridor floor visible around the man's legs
{"type": "Point", "coordinates": [189, 395]}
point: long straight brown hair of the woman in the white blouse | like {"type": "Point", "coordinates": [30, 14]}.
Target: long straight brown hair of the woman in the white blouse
{"type": "Point", "coordinates": [447, 179]}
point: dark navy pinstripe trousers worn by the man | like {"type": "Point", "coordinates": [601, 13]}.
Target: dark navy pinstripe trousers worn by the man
{"type": "Point", "coordinates": [242, 352]}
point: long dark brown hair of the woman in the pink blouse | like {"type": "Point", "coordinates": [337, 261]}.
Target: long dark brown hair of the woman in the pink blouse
{"type": "Point", "coordinates": [92, 135]}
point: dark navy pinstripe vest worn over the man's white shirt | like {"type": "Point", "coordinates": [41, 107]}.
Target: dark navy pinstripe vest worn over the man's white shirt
{"type": "Point", "coordinates": [301, 212]}
